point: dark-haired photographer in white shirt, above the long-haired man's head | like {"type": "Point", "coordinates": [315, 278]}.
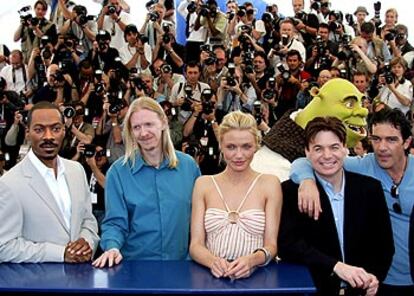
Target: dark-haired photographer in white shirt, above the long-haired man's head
{"type": "Point", "coordinates": [135, 53]}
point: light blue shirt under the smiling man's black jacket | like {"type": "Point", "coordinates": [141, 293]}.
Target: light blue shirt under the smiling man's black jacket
{"type": "Point", "coordinates": [336, 199]}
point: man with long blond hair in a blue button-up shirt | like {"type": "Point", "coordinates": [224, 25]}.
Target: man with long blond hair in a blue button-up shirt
{"type": "Point", "coordinates": [147, 192]}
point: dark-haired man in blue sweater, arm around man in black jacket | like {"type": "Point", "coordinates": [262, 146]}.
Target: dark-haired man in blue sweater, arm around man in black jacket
{"type": "Point", "coordinates": [390, 163]}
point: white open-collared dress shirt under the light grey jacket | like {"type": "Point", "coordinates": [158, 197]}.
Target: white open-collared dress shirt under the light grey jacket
{"type": "Point", "coordinates": [57, 185]}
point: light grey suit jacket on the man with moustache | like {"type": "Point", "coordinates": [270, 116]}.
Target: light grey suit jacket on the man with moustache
{"type": "Point", "coordinates": [32, 227]}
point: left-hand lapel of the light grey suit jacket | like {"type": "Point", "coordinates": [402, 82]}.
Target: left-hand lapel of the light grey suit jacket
{"type": "Point", "coordinates": [39, 186]}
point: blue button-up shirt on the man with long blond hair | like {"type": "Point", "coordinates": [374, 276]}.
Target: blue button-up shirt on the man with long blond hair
{"type": "Point", "coordinates": [148, 209]}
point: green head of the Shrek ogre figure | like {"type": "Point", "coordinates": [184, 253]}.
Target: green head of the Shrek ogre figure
{"type": "Point", "coordinates": [340, 98]}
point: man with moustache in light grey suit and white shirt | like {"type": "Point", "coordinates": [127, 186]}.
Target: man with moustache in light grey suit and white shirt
{"type": "Point", "coordinates": [45, 207]}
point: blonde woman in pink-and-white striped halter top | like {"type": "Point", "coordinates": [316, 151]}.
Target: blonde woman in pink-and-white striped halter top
{"type": "Point", "coordinates": [235, 214]}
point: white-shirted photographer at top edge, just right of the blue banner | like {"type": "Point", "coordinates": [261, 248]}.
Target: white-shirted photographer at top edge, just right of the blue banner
{"type": "Point", "coordinates": [213, 20]}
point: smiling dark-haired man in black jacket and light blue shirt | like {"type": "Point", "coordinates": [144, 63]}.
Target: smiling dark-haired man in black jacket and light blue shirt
{"type": "Point", "coordinates": [350, 248]}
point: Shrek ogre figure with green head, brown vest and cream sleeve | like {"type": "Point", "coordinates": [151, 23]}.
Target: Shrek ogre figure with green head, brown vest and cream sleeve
{"type": "Point", "coordinates": [286, 140]}
